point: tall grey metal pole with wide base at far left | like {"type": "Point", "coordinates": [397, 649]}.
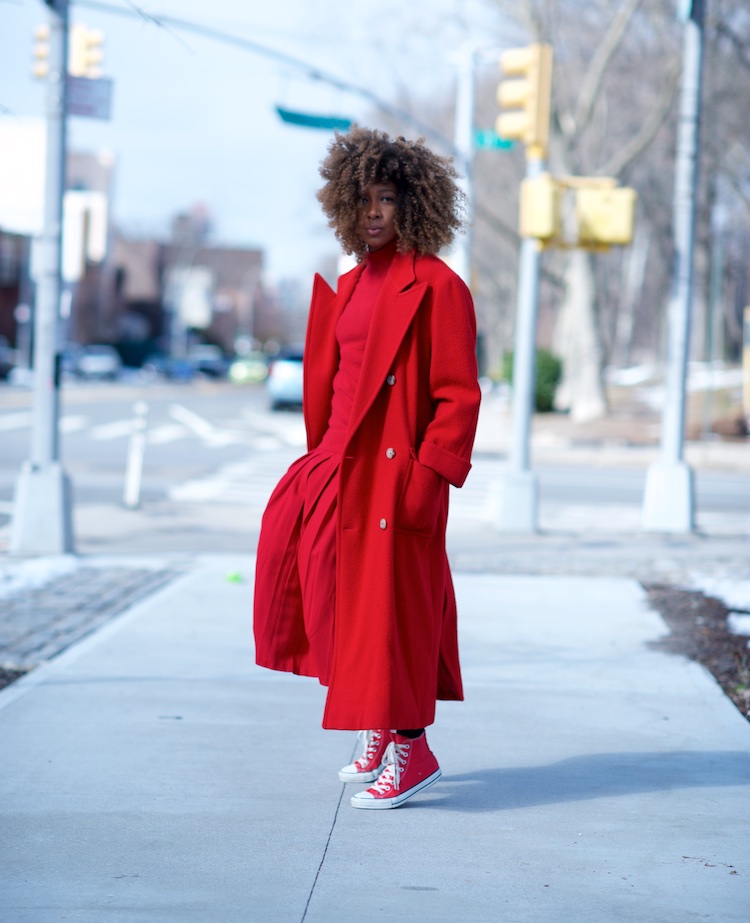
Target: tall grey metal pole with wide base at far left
{"type": "Point", "coordinates": [42, 515]}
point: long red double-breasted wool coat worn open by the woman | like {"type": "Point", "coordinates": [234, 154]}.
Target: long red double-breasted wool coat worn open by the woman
{"type": "Point", "coordinates": [410, 435]}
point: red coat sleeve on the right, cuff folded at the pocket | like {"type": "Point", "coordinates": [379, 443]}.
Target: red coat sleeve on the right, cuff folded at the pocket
{"type": "Point", "coordinates": [454, 389]}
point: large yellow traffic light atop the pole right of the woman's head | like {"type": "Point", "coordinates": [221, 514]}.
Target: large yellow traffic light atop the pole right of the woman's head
{"type": "Point", "coordinates": [527, 94]}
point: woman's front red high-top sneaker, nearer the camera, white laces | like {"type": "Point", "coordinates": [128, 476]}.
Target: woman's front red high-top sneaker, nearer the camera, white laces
{"type": "Point", "coordinates": [411, 768]}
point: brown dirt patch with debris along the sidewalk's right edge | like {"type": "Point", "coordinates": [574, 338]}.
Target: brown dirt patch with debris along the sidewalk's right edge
{"type": "Point", "coordinates": [700, 631]}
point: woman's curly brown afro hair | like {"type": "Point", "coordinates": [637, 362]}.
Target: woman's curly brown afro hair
{"type": "Point", "coordinates": [430, 203]}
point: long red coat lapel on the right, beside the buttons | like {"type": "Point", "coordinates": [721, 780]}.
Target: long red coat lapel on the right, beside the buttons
{"type": "Point", "coordinates": [393, 313]}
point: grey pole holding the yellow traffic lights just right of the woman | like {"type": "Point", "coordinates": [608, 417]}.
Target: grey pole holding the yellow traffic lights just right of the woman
{"type": "Point", "coordinates": [518, 488]}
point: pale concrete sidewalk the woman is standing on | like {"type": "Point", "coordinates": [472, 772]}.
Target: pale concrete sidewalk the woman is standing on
{"type": "Point", "coordinates": [153, 773]}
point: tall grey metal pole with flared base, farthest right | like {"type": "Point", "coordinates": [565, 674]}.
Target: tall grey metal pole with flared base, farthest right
{"type": "Point", "coordinates": [668, 503]}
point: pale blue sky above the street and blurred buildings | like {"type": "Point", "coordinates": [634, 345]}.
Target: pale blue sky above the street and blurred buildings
{"type": "Point", "coordinates": [194, 122]}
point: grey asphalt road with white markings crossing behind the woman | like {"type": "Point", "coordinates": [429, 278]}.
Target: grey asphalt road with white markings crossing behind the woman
{"type": "Point", "coordinates": [213, 432]}
